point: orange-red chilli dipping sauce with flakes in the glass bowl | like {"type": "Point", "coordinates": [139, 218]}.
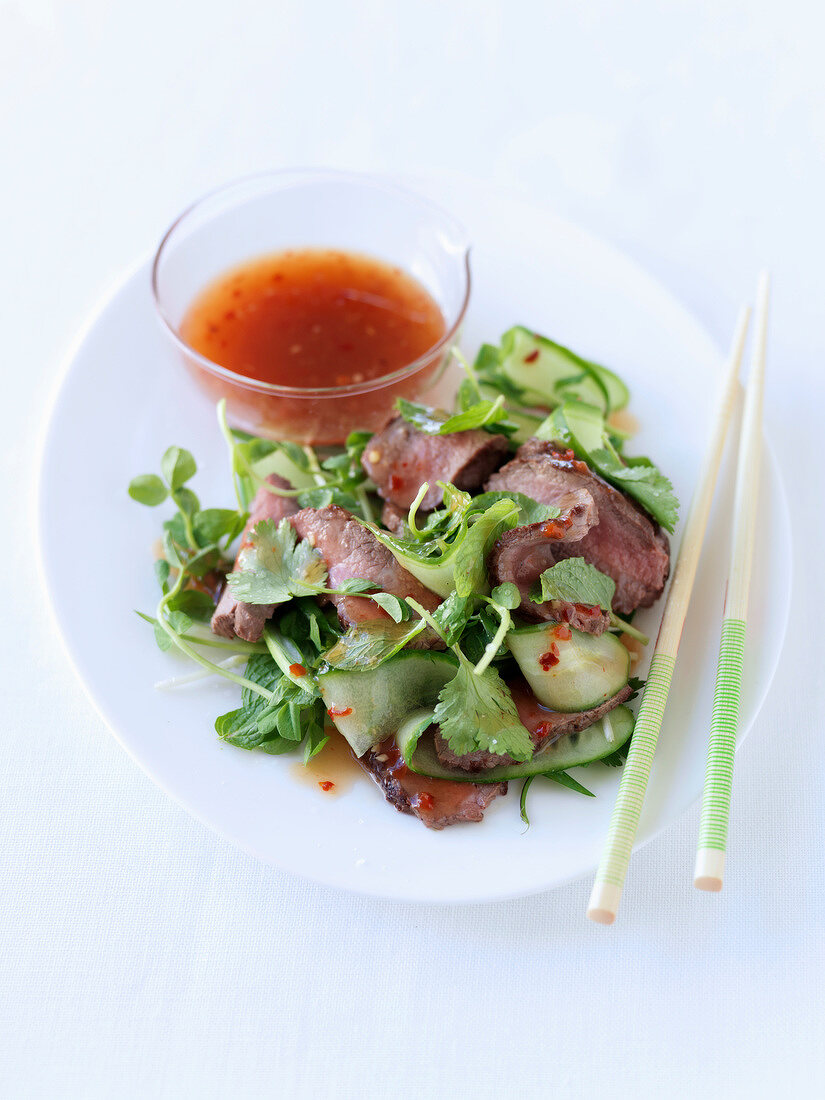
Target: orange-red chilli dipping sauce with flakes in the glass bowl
{"type": "Point", "coordinates": [315, 318]}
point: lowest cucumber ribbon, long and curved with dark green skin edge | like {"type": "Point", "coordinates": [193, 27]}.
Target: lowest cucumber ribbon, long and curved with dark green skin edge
{"type": "Point", "coordinates": [596, 743]}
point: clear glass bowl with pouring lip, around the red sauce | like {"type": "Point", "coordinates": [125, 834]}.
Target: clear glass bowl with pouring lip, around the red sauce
{"type": "Point", "coordinates": [321, 210]}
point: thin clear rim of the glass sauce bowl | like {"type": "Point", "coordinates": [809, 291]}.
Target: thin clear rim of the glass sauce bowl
{"type": "Point", "coordinates": [307, 175]}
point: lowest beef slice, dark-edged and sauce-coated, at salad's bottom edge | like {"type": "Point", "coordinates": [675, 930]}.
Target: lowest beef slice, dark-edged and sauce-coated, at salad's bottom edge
{"type": "Point", "coordinates": [437, 802]}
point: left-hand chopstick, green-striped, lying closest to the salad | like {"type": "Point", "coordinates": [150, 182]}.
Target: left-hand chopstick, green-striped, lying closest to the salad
{"type": "Point", "coordinates": [604, 899]}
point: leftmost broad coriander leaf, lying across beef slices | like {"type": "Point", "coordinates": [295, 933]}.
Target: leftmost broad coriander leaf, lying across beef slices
{"type": "Point", "coordinates": [274, 567]}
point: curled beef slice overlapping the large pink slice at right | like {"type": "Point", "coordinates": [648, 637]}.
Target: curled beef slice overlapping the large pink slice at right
{"type": "Point", "coordinates": [523, 555]}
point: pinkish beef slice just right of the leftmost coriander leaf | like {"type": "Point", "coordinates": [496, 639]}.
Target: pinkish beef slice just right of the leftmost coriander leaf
{"type": "Point", "coordinates": [351, 551]}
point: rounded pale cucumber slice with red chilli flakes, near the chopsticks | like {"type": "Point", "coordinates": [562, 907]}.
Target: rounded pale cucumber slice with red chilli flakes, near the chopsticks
{"type": "Point", "coordinates": [589, 670]}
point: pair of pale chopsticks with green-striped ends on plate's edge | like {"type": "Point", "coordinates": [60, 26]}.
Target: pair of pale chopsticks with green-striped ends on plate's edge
{"type": "Point", "coordinates": [610, 881]}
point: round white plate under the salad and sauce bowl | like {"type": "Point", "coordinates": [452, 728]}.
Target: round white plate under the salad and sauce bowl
{"type": "Point", "coordinates": [125, 400]}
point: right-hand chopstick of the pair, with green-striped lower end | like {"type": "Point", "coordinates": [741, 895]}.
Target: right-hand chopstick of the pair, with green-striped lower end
{"type": "Point", "coordinates": [724, 723]}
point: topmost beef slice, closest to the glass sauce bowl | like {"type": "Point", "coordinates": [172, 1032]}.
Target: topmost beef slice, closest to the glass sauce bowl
{"type": "Point", "coordinates": [401, 459]}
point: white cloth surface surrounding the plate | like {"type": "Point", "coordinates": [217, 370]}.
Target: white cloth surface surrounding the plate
{"type": "Point", "coordinates": [144, 956]}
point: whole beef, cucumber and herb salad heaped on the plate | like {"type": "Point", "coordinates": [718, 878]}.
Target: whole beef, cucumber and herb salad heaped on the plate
{"type": "Point", "coordinates": [453, 595]}
